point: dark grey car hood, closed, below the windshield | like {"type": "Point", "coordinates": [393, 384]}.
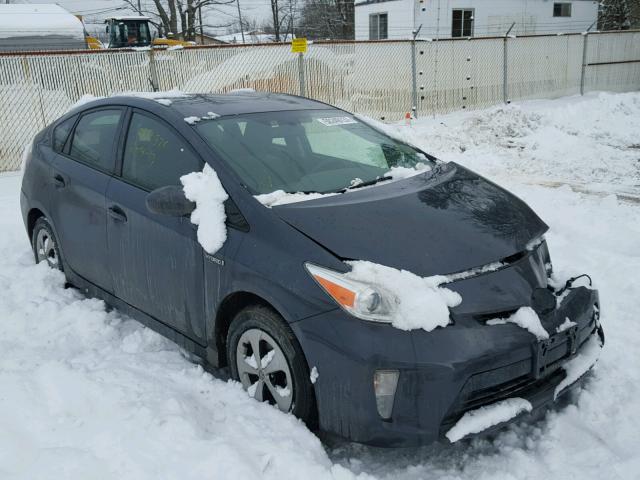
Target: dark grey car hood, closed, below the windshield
{"type": "Point", "coordinates": [444, 221]}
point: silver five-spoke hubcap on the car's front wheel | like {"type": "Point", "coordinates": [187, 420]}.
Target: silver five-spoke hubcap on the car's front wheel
{"type": "Point", "coordinates": [263, 369]}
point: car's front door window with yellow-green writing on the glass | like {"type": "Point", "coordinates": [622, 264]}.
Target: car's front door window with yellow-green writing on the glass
{"type": "Point", "coordinates": [155, 155]}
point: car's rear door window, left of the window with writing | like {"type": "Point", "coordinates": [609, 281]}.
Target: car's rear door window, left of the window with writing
{"type": "Point", "coordinates": [94, 139]}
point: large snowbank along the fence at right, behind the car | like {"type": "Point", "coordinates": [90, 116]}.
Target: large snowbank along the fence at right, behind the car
{"type": "Point", "coordinates": [579, 140]}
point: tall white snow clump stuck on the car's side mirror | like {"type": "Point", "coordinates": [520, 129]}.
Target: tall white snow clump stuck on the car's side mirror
{"type": "Point", "coordinates": [204, 188]}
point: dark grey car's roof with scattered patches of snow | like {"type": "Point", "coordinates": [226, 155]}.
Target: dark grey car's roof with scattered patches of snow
{"type": "Point", "coordinates": [202, 105]}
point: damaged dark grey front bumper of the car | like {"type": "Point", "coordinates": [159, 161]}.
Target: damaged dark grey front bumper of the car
{"type": "Point", "coordinates": [443, 374]}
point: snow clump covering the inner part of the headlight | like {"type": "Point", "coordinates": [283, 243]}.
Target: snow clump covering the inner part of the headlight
{"type": "Point", "coordinates": [420, 302]}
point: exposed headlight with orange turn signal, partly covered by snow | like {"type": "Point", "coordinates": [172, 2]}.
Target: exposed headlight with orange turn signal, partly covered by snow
{"type": "Point", "coordinates": [360, 299]}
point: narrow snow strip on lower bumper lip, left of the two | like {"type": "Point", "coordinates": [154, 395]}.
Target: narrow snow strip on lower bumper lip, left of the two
{"type": "Point", "coordinates": [482, 418]}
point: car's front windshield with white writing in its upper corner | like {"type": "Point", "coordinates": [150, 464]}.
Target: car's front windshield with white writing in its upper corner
{"type": "Point", "coordinates": [306, 151]}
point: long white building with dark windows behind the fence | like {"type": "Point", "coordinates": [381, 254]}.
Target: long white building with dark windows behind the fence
{"type": "Point", "coordinates": [397, 19]}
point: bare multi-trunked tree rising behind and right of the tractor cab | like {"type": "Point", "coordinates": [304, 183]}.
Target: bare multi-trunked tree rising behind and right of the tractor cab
{"type": "Point", "coordinates": [177, 17]}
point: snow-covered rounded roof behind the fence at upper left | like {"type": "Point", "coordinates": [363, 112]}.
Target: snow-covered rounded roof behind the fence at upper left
{"type": "Point", "coordinates": [24, 20]}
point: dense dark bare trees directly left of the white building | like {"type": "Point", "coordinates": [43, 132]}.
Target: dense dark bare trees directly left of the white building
{"type": "Point", "coordinates": [328, 19]}
